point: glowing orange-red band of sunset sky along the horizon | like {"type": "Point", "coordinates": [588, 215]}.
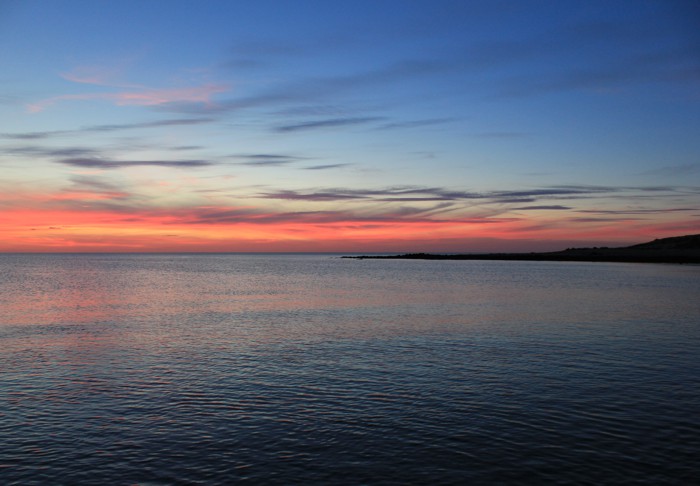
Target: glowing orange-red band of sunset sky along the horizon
{"type": "Point", "coordinates": [26, 230]}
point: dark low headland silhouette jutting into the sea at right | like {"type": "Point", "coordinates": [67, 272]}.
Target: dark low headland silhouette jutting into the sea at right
{"type": "Point", "coordinates": [677, 249]}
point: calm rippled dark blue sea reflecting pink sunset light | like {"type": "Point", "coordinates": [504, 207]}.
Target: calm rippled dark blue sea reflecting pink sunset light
{"type": "Point", "coordinates": [291, 369]}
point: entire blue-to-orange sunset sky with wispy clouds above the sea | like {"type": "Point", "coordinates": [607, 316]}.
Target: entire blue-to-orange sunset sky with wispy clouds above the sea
{"type": "Point", "coordinates": [363, 126]}
